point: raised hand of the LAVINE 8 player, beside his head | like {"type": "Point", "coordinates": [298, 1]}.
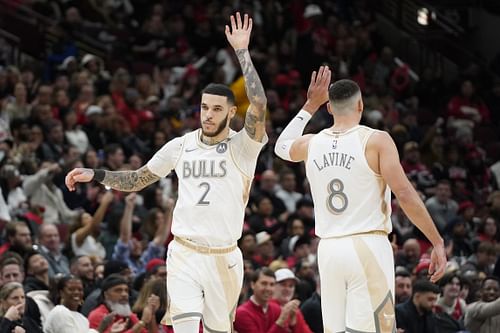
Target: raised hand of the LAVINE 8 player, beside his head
{"type": "Point", "coordinates": [317, 93]}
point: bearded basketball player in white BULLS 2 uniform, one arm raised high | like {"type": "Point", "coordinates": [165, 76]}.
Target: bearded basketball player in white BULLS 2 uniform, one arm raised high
{"type": "Point", "coordinates": [215, 166]}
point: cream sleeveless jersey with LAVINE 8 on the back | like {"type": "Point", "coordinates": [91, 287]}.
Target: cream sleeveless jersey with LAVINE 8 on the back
{"type": "Point", "coordinates": [349, 197]}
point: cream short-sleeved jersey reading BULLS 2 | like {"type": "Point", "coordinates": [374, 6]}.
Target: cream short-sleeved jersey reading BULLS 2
{"type": "Point", "coordinates": [214, 185]}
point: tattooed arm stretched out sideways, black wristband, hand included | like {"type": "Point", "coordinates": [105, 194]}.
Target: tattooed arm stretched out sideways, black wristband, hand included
{"type": "Point", "coordinates": [127, 181]}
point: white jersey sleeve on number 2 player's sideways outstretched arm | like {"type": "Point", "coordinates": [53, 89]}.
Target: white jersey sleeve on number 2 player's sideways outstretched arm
{"type": "Point", "coordinates": [165, 159]}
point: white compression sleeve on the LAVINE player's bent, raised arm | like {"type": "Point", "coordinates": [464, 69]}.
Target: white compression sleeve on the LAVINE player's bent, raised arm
{"type": "Point", "coordinates": [291, 132]}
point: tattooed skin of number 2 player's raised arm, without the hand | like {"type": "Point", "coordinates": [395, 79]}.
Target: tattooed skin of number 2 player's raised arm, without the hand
{"type": "Point", "coordinates": [255, 118]}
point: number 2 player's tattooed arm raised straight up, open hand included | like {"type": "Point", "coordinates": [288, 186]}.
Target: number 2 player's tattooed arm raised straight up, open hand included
{"type": "Point", "coordinates": [239, 38]}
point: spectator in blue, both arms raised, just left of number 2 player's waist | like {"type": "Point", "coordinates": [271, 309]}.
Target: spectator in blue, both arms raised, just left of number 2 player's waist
{"type": "Point", "coordinates": [130, 250]}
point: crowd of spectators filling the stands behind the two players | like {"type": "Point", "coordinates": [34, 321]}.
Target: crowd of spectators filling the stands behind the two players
{"type": "Point", "coordinates": [95, 258]}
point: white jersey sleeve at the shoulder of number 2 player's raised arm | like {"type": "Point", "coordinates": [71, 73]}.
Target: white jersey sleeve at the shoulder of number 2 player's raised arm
{"type": "Point", "coordinates": [245, 151]}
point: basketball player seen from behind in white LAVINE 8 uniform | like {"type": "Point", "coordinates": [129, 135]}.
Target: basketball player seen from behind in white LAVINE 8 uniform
{"type": "Point", "coordinates": [350, 169]}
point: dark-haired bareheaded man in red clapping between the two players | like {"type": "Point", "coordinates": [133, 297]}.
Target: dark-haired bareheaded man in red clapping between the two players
{"type": "Point", "coordinates": [259, 314]}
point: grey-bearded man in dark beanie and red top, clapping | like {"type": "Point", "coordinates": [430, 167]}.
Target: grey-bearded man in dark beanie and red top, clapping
{"type": "Point", "coordinates": [115, 300]}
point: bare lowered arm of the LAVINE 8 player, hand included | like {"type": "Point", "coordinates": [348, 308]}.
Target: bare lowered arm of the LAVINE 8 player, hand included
{"type": "Point", "coordinates": [409, 200]}
